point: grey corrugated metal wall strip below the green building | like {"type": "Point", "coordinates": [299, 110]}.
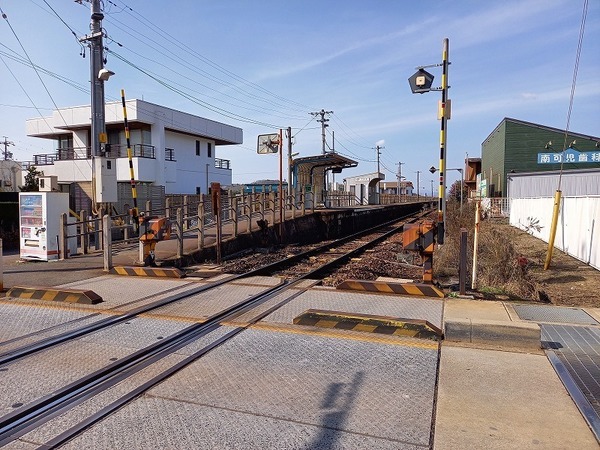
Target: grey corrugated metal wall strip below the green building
{"type": "Point", "coordinates": [544, 184]}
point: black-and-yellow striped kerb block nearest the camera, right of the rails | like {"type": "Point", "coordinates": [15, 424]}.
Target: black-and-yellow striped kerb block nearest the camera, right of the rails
{"type": "Point", "coordinates": [370, 324]}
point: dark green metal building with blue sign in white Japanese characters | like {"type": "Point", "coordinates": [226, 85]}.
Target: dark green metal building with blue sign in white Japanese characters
{"type": "Point", "coordinates": [516, 146]}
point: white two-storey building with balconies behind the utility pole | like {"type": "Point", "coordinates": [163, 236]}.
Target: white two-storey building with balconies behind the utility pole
{"type": "Point", "coordinates": [170, 148]}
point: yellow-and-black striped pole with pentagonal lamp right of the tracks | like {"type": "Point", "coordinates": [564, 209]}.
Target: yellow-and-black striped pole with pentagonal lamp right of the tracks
{"type": "Point", "coordinates": [421, 82]}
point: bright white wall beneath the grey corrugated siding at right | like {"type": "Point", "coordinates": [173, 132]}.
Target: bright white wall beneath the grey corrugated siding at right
{"type": "Point", "coordinates": [578, 230]}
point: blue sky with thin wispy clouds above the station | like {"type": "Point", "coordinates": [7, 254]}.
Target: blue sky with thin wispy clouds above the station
{"type": "Point", "coordinates": [262, 65]}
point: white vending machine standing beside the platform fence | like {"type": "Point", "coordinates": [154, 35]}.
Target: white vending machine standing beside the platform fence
{"type": "Point", "coordinates": [39, 223]}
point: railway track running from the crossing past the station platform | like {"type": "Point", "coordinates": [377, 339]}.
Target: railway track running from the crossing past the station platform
{"type": "Point", "coordinates": [292, 271]}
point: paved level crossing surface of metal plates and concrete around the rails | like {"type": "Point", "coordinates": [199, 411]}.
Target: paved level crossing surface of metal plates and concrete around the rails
{"type": "Point", "coordinates": [281, 385]}
